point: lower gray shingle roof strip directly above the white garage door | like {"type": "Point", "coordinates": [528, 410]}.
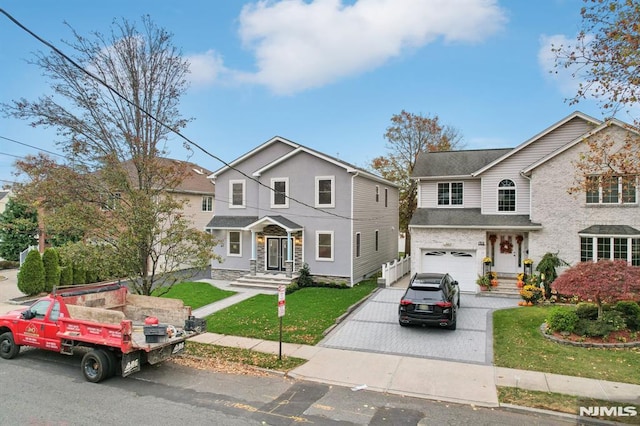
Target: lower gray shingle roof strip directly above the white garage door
{"type": "Point", "coordinates": [468, 218]}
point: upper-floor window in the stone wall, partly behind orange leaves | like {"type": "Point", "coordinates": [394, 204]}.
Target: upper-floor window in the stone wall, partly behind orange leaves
{"type": "Point", "coordinates": [611, 190]}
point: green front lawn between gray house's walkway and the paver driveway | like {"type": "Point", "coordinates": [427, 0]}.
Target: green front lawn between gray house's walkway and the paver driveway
{"type": "Point", "coordinates": [309, 312]}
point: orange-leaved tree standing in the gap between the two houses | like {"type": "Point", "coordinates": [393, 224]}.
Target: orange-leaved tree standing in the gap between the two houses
{"type": "Point", "coordinates": [408, 136]}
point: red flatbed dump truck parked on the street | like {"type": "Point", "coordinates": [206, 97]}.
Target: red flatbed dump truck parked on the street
{"type": "Point", "coordinates": [122, 331]}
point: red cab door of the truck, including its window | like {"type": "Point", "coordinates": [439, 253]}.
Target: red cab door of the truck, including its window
{"type": "Point", "coordinates": [40, 330]}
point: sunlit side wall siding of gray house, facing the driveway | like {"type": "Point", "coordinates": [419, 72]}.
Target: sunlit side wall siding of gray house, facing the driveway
{"type": "Point", "coordinates": [370, 215]}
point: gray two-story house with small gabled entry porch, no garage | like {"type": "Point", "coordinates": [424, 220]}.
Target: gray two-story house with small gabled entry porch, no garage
{"type": "Point", "coordinates": [282, 205]}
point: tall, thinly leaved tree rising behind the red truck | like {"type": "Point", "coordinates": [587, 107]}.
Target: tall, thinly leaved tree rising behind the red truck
{"type": "Point", "coordinates": [114, 113]}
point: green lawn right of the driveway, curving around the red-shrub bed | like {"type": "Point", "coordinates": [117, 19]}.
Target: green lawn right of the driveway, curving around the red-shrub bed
{"type": "Point", "coordinates": [518, 343]}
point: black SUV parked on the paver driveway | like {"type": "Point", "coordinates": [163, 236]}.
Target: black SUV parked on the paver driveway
{"type": "Point", "coordinates": [430, 299]}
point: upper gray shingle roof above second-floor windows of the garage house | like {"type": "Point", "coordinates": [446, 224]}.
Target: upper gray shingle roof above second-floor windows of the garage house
{"type": "Point", "coordinates": [455, 163]}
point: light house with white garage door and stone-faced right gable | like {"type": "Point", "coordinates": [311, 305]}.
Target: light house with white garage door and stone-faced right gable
{"type": "Point", "coordinates": [514, 204]}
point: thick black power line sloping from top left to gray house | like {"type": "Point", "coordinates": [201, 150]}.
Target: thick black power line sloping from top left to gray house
{"type": "Point", "coordinates": [152, 117]}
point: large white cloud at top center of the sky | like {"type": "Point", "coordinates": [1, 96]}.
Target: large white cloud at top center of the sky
{"type": "Point", "coordinates": [303, 44]}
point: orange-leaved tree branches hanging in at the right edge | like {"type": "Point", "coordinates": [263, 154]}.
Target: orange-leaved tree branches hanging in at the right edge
{"type": "Point", "coordinates": [605, 58]}
